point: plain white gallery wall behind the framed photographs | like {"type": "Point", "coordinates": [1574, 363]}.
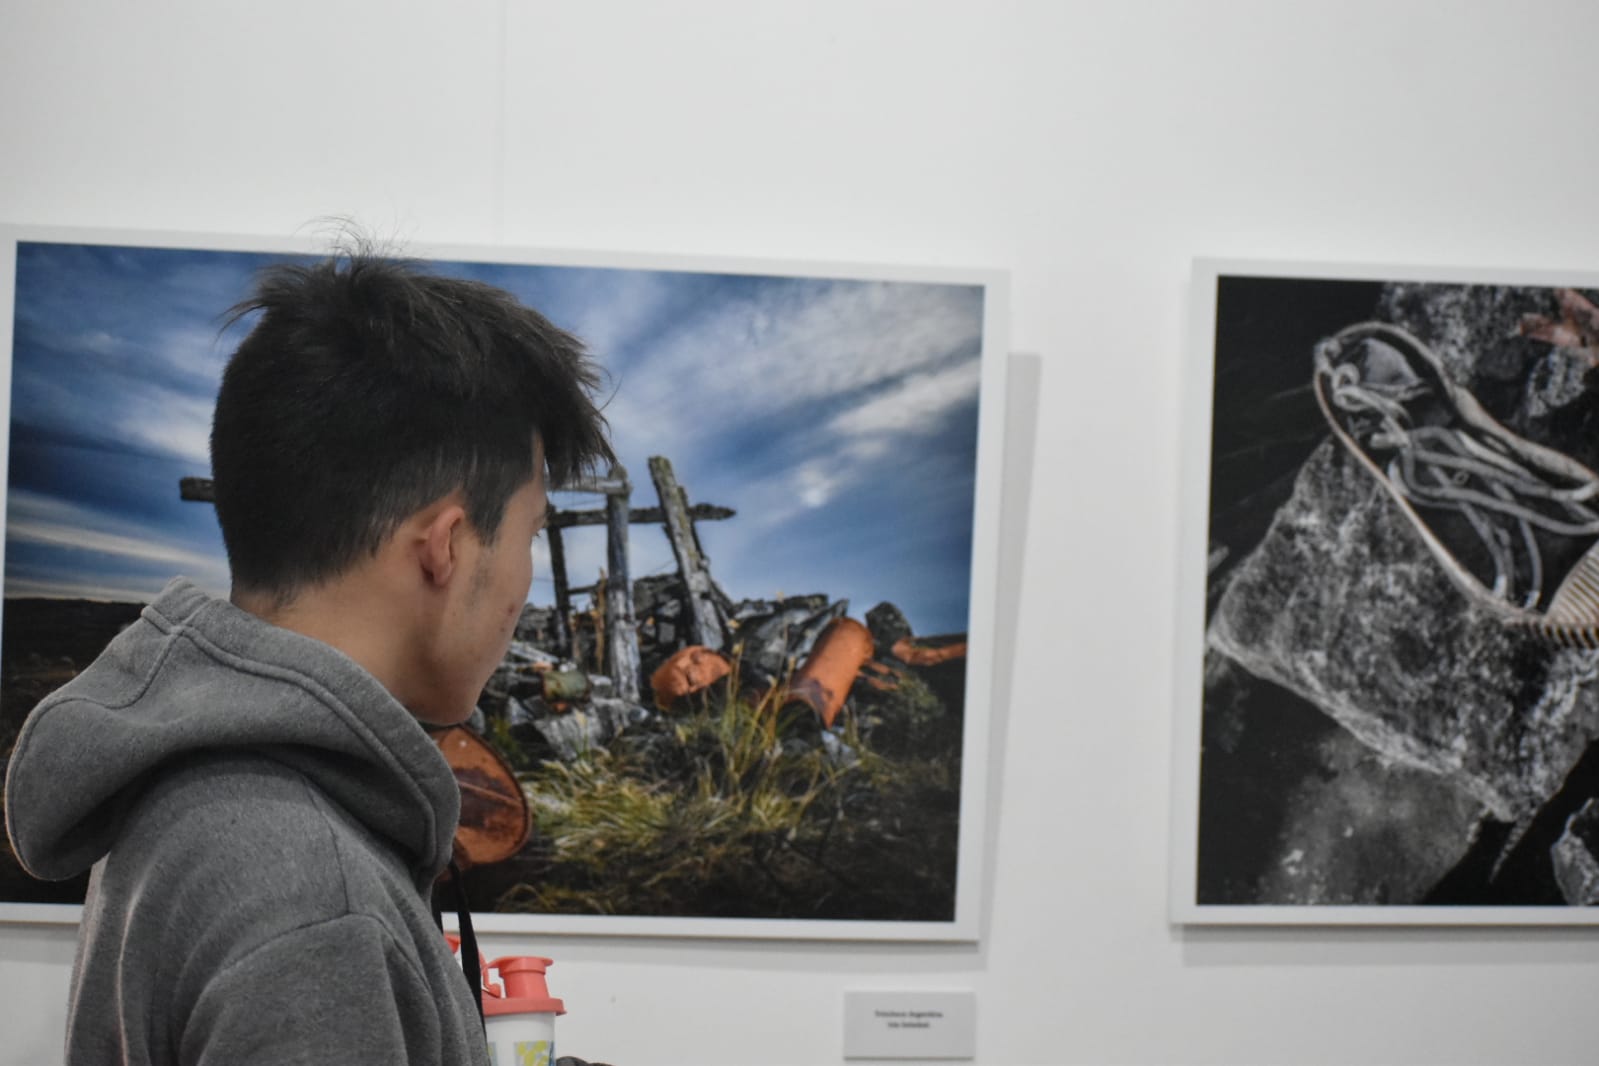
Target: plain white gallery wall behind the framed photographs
{"type": "Point", "coordinates": [1090, 149]}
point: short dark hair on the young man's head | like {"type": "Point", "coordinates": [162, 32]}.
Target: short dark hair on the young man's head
{"type": "Point", "coordinates": [370, 389]}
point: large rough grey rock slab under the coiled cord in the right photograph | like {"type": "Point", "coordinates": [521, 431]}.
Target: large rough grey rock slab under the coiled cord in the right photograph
{"type": "Point", "coordinates": [1344, 605]}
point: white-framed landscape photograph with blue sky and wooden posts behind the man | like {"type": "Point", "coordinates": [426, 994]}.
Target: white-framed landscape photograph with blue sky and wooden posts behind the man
{"type": "Point", "coordinates": [749, 694]}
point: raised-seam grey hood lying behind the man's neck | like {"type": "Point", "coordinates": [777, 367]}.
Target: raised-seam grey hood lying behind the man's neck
{"type": "Point", "coordinates": [197, 675]}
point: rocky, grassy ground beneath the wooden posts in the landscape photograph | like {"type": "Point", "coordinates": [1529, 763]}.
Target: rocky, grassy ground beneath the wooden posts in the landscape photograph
{"type": "Point", "coordinates": [858, 821]}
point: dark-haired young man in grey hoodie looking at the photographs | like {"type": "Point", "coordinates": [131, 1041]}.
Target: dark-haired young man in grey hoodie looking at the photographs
{"type": "Point", "coordinates": [252, 779]}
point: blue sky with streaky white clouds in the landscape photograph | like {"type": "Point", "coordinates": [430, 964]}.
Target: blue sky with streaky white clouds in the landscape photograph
{"type": "Point", "coordinates": [837, 416]}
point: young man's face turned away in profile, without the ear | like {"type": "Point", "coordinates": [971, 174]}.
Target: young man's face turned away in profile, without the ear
{"type": "Point", "coordinates": [487, 608]}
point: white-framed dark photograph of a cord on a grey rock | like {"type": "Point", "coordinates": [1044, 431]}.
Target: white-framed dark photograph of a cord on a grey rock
{"type": "Point", "coordinates": [1389, 682]}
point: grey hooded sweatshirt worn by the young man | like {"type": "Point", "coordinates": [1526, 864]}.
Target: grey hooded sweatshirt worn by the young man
{"type": "Point", "coordinates": [265, 824]}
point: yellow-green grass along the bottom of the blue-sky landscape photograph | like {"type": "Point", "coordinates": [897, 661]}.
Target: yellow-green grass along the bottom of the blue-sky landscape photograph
{"type": "Point", "coordinates": [725, 811]}
